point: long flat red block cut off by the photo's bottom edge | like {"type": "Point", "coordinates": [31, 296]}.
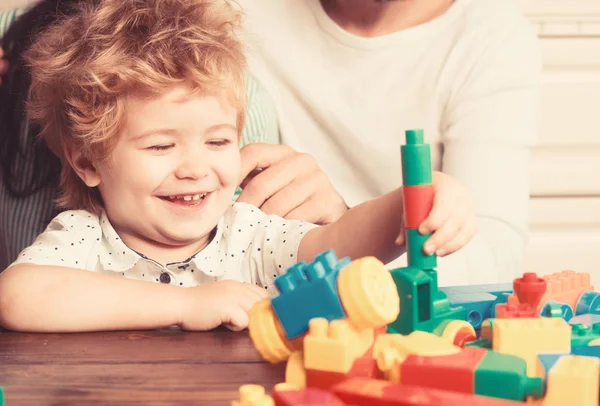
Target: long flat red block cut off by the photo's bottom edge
{"type": "Point", "coordinates": [371, 392]}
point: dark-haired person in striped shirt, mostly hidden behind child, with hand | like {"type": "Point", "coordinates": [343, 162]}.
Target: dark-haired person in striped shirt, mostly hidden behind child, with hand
{"type": "Point", "coordinates": [30, 173]}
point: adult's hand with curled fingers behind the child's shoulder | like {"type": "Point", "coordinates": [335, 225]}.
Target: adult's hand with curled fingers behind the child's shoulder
{"type": "Point", "coordinates": [289, 184]}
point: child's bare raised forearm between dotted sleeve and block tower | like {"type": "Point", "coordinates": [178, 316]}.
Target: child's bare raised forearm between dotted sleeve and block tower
{"type": "Point", "coordinates": [369, 229]}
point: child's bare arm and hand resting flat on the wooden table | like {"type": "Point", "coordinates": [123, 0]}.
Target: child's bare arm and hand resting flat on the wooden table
{"type": "Point", "coordinates": [37, 298]}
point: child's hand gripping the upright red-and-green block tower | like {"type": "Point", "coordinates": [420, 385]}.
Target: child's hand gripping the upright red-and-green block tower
{"type": "Point", "coordinates": [452, 219]}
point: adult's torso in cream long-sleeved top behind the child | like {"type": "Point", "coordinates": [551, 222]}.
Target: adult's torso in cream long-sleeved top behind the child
{"type": "Point", "coordinates": [350, 76]}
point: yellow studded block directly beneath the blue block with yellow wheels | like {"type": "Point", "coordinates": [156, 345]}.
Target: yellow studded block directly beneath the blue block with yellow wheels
{"type": "Point", "coordinates": [334, 346]}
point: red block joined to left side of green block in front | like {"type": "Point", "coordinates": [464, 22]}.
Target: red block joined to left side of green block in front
{"type": "Point", "coordinates": [455, 372]}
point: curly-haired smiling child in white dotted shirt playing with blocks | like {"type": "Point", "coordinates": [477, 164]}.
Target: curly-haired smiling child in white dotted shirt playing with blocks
{"type": "Point", "coordinates": [143, 100]}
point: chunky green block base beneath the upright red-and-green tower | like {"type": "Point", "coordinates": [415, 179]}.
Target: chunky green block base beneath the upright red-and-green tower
{"type": "Point", "coordinates": [423, 306]}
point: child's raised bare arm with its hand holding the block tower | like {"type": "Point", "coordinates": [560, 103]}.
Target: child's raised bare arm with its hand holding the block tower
{"type": "Point", "coordinates": [374, 227]}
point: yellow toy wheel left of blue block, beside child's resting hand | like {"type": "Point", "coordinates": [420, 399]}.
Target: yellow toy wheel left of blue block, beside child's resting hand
{"type": "Point", "coordinates": [267, 333]}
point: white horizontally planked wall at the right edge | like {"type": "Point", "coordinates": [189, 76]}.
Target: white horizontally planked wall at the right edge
{"type": "Point", "coordinates": [565, 203]}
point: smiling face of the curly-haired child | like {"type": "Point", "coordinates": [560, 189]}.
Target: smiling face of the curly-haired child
{"type": "Point", "coordinates": [173, 172]}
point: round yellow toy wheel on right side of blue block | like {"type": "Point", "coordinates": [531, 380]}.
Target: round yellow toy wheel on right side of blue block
{"type": "Point", "coordinates": [368, 293]}
